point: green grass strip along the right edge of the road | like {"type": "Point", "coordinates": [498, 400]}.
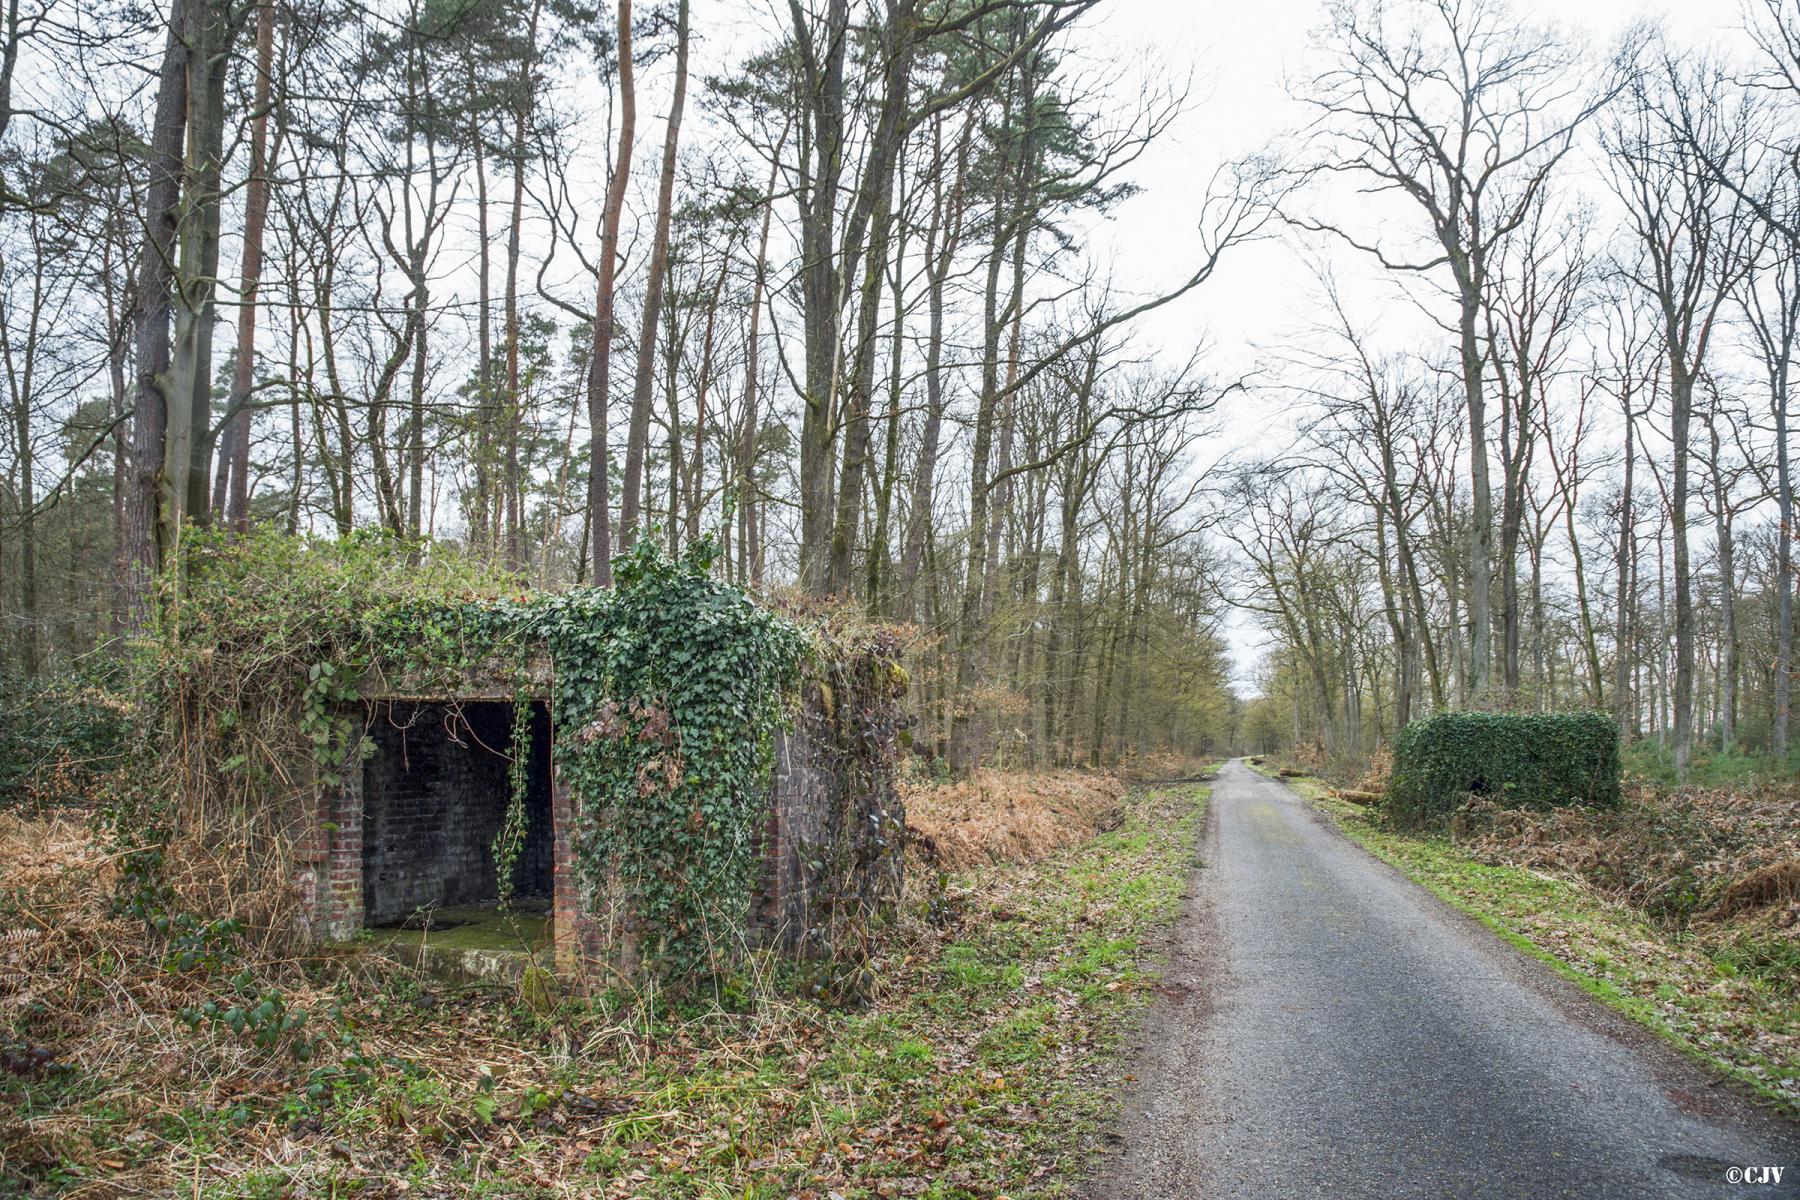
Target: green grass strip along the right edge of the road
{"type": "Point", "coordinates": [1738, 1023]}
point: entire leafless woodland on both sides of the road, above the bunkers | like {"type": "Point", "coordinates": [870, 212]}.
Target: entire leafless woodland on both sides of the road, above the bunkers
{"type": "Point", "coordinates": [517, 280]}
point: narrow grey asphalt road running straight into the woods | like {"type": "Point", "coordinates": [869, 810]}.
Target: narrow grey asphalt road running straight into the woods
{"type": "Point", "coordinates": [1331, 1030]}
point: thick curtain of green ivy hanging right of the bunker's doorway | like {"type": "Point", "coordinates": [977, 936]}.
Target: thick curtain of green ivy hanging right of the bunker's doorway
{"type": "Point", "coordinates": [669, 695]}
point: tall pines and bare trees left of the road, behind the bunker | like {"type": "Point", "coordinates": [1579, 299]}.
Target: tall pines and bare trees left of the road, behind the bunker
{"type": "Point", "coordinates": [512, 278]}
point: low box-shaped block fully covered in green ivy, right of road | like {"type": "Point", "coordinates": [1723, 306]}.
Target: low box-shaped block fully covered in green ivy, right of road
{"type": "Point", "coordinates": [1518, 760]}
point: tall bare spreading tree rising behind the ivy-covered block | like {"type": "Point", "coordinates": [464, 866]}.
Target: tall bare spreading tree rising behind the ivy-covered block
{"type": "Point", "coordinates": [1461, 112]}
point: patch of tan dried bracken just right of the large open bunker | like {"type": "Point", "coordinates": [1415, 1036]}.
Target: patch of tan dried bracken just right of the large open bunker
{"type": "Point", "coordinates": [1009, 818]}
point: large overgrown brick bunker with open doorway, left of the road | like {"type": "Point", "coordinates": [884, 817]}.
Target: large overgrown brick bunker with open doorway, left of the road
{"type": "Point", "coordinates": [663, 773]}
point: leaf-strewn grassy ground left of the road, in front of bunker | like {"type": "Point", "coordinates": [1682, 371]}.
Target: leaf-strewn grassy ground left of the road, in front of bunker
{"type": "Point", "coordinates": [985, 1066]}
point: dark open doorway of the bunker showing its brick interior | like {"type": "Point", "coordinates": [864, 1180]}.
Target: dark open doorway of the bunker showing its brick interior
{"type": "Point", "coordinates": [435, 796]}
